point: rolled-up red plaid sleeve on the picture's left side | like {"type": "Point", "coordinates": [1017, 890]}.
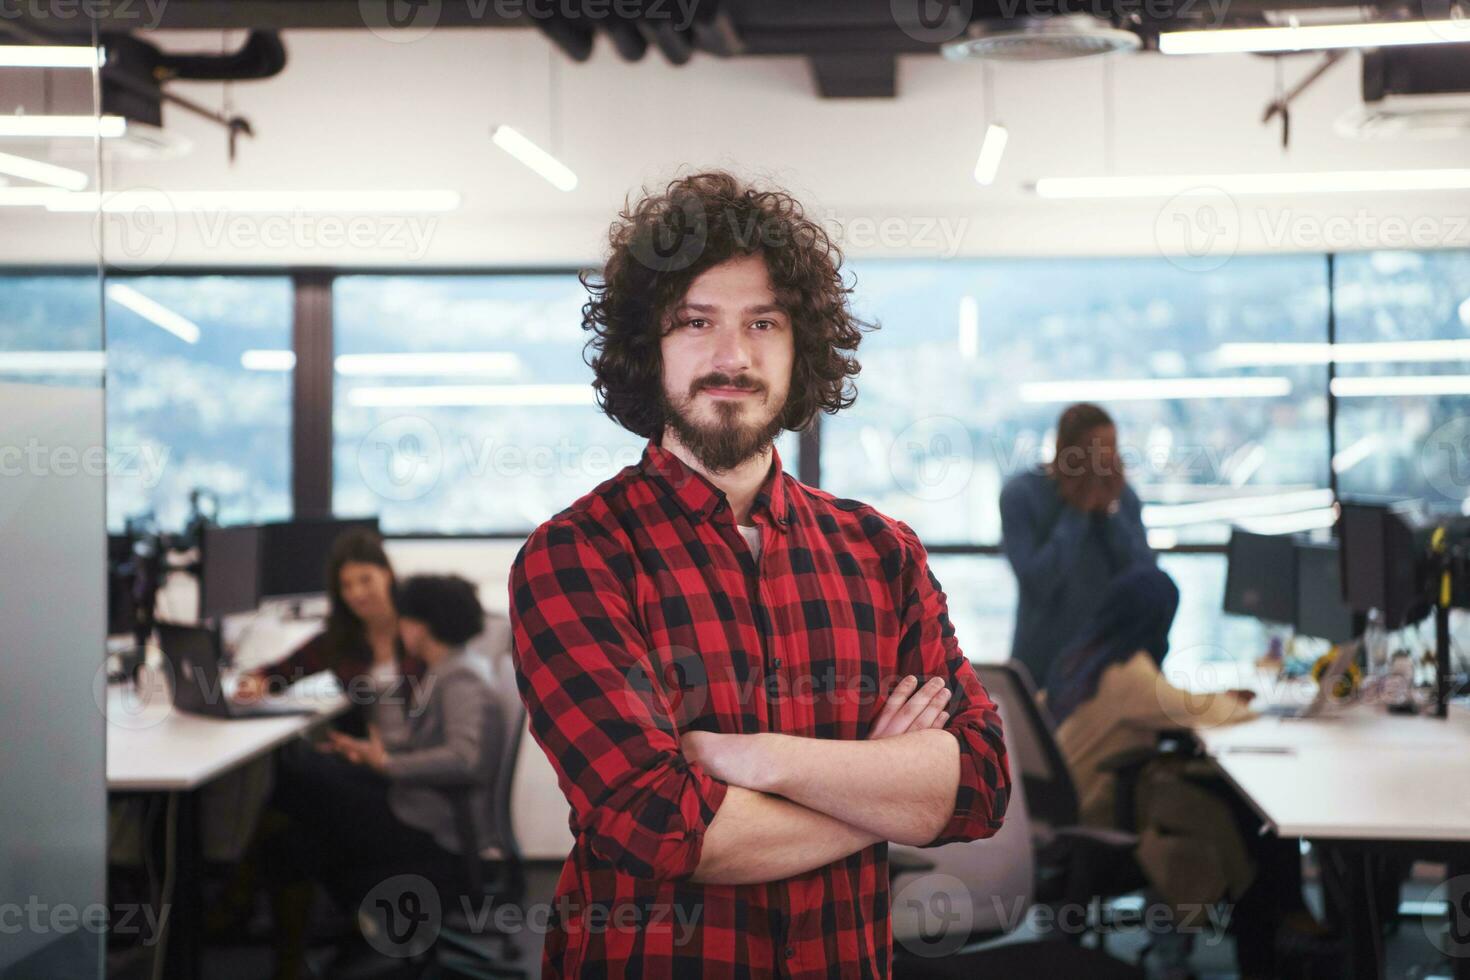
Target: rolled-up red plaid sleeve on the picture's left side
{"type": "Point", "coordinates": [598, 712]}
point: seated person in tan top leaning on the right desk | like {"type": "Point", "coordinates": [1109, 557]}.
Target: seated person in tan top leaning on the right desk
{"type": "Point", "coordinates": [1199, 841]}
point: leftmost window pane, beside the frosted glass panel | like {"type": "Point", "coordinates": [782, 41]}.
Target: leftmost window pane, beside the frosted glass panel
{"type": "Point", "coordinates": [199, 397]}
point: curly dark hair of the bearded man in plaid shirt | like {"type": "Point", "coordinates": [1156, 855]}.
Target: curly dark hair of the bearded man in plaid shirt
{"type": "Point", "coordinates": [665, 243]}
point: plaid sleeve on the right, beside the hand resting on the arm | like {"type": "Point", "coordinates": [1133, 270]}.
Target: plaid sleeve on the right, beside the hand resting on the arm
{"type": "Point", "coordinates": [928, 647]}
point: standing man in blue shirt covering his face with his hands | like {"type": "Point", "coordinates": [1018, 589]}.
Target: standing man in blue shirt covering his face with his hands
{"type": "Point", "coordinates": [1068, 528]}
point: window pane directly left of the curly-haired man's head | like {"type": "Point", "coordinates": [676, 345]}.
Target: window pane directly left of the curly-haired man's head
{"type": "Point", "coordinates": [464, 403]}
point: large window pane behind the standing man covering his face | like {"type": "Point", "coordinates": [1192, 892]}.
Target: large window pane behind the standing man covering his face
{"type": "Point", "coordinates": [975, 361]}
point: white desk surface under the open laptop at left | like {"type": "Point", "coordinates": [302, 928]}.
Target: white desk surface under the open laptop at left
{"type": "Point", "coordinates": [152, 747]}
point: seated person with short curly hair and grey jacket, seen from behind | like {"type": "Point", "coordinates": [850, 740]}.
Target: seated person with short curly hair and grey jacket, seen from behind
{"type": "Point", "coordinates": [368, 809]}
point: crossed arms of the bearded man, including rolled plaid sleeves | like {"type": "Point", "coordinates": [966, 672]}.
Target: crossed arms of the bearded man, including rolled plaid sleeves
{"type": "Point", "coordinates": [742, 809]}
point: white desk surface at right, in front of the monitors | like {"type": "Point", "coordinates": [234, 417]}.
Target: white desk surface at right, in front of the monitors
{"type": "Point", "coordinates": [1353, 774]}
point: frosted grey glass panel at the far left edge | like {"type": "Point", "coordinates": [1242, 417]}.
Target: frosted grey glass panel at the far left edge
{"type": "Point", "coordinates": [52, 627]}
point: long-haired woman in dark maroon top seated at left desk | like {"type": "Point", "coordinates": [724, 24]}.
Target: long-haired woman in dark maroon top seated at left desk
{"type": "Point", "coordinates": [361, 643]}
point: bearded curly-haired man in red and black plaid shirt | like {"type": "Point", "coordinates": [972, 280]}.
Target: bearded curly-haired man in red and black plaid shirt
{"type": "Point", "coordinates": [747, 687]}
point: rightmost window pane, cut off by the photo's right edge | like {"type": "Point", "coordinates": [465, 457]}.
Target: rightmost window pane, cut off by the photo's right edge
{"type": "Point", "coordinates": [1403, 394]}
